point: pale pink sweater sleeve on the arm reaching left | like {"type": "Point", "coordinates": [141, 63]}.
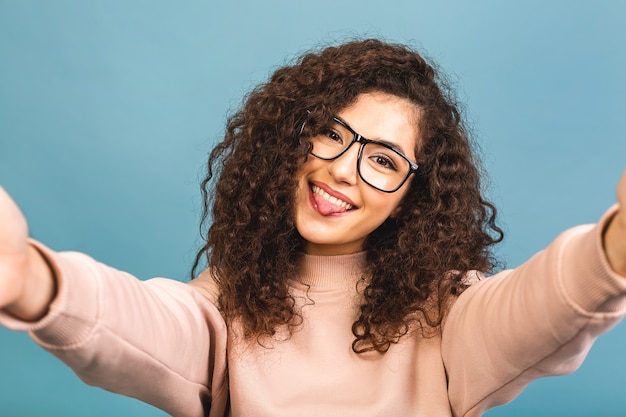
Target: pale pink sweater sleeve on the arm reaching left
{"type": "Point", "coordinates": [160, 341]}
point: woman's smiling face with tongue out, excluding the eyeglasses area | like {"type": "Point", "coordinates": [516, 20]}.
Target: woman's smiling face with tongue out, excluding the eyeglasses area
{"type": "Point", "coordinates": [334, 209]}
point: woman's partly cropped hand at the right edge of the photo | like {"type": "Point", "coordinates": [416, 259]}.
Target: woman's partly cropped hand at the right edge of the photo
{"type": "Point", "coordinates": [615, 233]}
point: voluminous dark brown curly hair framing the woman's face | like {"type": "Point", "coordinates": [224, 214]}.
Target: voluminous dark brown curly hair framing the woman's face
{"type": "Point", "coordinates": [445, 227]}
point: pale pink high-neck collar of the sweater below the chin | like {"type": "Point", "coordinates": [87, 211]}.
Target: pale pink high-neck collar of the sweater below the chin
{"type": "Point", "coordinates": [331, 272]}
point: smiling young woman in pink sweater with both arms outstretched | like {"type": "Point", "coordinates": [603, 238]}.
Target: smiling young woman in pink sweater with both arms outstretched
{"type": "Point", "coordinates": [347, 250]}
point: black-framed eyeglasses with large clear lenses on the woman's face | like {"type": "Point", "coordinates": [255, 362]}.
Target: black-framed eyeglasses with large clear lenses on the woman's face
{"type": "Point", "coordinates": [380, 165]}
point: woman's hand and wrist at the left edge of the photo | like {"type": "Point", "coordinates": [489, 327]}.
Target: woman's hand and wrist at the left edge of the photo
{"type": "Point", "coordinates": [26, 282]}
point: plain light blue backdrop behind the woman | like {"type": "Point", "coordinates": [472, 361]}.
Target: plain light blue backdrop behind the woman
{"type": "Point", "coordinates": [108, 109]}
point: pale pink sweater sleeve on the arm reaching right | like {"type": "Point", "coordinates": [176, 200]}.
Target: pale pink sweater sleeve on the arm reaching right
{"type": "Point", "coordinates": [537, 320]}
